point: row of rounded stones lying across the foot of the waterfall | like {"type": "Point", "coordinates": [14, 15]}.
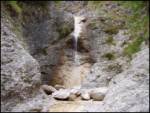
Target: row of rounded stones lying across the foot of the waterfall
{"type": "Point", "coordinates": [61, 93]}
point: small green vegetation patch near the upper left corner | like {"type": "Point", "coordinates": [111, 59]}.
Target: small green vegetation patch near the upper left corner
{"type": "Point", "coordinates": [14, 5]}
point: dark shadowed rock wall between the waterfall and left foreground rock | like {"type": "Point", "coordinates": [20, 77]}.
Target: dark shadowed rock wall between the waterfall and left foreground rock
{"type": "Point", "coordinates": [43, 31]}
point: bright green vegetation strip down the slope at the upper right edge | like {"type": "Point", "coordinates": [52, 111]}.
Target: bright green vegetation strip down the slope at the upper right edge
{"type": "Point", "coordinates": [138, 25]}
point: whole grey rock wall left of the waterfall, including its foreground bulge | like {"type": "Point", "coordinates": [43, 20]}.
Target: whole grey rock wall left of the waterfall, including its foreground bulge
{"type": "Point", "coordinates": [30, 49]}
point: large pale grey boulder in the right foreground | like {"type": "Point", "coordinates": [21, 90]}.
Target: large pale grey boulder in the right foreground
{"type": "Point", "coordinates": [129, 91]}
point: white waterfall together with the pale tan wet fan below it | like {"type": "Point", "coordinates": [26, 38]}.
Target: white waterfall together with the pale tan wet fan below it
{"type": "Point", "coordinates": [73, 73]}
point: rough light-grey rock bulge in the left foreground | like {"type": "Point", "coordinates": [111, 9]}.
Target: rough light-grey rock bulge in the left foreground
{"type": "Point", "coordinates": [20, 76]}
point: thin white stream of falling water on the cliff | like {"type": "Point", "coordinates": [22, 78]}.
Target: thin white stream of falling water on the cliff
{"type": "Point", "coordinates": [77, 31]}
